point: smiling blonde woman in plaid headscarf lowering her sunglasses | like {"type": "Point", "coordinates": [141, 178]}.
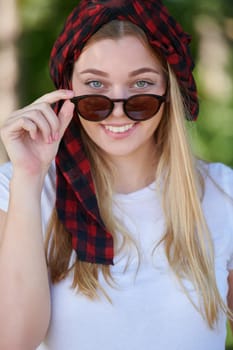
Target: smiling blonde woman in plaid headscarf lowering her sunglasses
{"type": "Point", "coordinates": [139, 251]}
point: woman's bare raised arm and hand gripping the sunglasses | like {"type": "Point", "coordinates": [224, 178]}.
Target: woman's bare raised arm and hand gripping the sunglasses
{"type": "Point", "coordinates": [31, 137]}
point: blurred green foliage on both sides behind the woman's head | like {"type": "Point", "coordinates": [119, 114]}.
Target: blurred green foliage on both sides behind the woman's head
{"type": "Point", "coordinates": [42, 20]}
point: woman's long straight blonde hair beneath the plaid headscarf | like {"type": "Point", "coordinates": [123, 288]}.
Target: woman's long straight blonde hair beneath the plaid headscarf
{"type": "Point", "coordinates": [182, 191]}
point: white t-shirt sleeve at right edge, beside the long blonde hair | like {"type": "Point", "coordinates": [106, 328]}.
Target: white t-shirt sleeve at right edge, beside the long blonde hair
{"type": "Point", "coordinates": [223, 176]}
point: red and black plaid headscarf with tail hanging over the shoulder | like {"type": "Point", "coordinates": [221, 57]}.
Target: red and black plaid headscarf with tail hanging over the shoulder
{"type": "Point", "coordinates": [76, 200]}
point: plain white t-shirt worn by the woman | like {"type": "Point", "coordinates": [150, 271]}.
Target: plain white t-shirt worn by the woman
{"type": "Point", "coordinates": [149, 309]}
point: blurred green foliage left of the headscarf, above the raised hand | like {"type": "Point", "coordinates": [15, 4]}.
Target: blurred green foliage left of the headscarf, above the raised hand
{"type": "Point", "coordinates": [41, 23]}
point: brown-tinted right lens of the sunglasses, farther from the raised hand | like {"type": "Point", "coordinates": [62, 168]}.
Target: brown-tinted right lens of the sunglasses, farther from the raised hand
{"type": "Point", "coordinates": [142, 107]}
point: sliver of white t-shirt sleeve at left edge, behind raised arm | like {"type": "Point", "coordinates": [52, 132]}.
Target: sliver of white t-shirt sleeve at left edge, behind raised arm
{"type": "Point", "coordinates": [5, 176]}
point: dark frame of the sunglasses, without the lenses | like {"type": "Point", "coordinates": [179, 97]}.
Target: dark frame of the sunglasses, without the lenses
{"type": "Point", "coordinates": [159, 98]}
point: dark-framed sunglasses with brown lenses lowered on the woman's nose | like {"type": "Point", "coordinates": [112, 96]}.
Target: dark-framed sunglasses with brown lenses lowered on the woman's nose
{"type": "Point", "coordinates": [96, 108]}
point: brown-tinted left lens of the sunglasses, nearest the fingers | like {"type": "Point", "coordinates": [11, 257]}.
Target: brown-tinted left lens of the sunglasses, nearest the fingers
{"type": "Point", "coordinates": [94, 108]}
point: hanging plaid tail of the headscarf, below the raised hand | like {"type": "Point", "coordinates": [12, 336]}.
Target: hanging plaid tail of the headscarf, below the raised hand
{"type": "Point", "coordinates": [76, 202]}
